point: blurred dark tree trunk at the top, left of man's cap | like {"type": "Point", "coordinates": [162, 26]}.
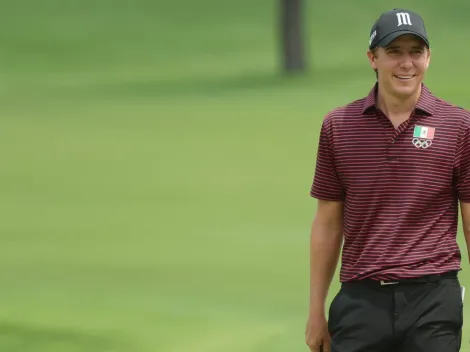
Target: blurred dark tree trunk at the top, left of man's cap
{"type": "Point", "coordinates": [291, 35]}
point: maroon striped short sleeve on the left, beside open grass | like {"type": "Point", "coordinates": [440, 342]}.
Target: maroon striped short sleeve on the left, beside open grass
{"type": "Point", "coordinates": [326, 183]}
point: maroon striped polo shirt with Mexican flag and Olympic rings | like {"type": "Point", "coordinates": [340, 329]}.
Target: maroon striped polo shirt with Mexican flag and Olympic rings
{"type": "Point", "coordinates": [400, 187]}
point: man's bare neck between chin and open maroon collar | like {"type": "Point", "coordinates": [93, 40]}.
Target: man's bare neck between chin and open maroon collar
{"type": "Point", "coordinates": [393, 106]}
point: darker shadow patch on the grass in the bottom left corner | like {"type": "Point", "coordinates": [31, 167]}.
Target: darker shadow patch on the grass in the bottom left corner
{"type": "Point", "coordinates": [16, 337]}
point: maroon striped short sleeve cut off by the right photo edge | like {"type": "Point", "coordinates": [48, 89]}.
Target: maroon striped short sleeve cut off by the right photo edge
{"type": "Point", "coordinates": [462, 167]}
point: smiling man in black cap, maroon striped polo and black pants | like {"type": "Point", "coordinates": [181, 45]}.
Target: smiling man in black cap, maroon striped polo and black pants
{"type": "Point", "coordinates": [391, 171]}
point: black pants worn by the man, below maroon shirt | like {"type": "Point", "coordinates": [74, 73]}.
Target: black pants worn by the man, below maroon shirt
{"type": "Point", "coordinates": [408, 317]}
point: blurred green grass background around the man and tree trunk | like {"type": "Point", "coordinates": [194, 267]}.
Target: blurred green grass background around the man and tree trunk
{"type": "Point", "coordinates": [156, 167]}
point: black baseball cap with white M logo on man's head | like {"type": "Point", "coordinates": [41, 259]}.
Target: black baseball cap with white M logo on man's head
{"type": "Point", "coordinates": [392, 24]}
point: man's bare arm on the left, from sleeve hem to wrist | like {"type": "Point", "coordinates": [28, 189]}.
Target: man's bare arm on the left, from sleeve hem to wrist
{"type": "Point", "coordinates": [325, 246]}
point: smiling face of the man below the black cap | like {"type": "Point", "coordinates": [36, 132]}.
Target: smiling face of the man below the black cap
{"type": "Point", "coordinates": [401, 65]}
